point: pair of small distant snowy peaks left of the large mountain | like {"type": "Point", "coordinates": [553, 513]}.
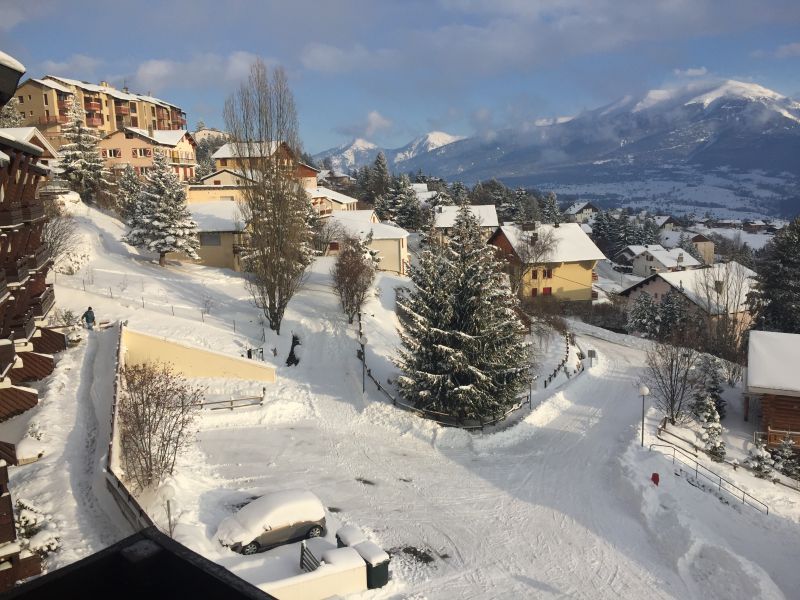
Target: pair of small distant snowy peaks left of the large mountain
{"type": "Point", "coordinates": [360, 152]}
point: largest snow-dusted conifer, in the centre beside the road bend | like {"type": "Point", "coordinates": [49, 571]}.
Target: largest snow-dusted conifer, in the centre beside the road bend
{"type": "Point", "coordinates": [462, 351]}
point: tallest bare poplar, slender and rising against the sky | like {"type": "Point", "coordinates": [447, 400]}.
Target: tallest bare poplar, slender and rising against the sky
{"type": "Point", "coordinates": [262, 122]}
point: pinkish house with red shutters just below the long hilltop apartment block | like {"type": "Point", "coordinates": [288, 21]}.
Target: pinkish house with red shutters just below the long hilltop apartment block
{"type": "Point", "coordinates": [136, 147]}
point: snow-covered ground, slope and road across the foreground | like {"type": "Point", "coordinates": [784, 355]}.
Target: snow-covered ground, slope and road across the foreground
{"type": "Point", "coordinates": [557, 504]}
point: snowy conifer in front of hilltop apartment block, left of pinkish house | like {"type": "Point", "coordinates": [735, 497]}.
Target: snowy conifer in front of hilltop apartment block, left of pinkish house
{"type": "Point", "coordinates": [80, 159]}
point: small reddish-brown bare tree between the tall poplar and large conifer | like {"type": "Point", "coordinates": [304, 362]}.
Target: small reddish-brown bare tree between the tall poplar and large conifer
{"type": "Point", "coordinates": [353, 274]}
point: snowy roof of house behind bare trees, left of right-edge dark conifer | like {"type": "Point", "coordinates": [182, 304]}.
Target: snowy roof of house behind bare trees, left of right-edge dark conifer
{"type": "Point", "coordinates": [698, 285]}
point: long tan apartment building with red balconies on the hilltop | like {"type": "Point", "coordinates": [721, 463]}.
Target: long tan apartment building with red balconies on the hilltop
{"type": "Point", "coordinates": [43, 103]}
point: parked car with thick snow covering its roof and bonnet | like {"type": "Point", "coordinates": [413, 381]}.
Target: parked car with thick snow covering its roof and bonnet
{"type": "Point", "coordinates": [272, 520]}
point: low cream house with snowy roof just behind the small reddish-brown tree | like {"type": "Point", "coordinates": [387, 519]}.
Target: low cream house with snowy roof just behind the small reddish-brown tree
{"type": "Point", "coordinates": [388, 242]}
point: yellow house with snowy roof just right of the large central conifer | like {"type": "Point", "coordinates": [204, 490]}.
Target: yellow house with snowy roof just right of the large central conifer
{"type": "Point", "coordinates": [565, 272]}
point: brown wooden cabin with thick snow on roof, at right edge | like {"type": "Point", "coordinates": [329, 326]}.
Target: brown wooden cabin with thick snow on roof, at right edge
{"type": "Point", "coordinates": [772, 384]}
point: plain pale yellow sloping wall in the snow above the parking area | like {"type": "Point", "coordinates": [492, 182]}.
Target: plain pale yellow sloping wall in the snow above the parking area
{"type": "Point", "coordinates": [190, 361]}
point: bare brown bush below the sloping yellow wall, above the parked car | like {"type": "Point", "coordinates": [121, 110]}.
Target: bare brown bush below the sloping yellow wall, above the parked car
{"type": "Point", "coordinates": [156, 413]}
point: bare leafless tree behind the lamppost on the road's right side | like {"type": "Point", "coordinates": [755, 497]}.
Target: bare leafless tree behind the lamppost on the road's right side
{"type": "Point", "coordinates": [671, 378]}
